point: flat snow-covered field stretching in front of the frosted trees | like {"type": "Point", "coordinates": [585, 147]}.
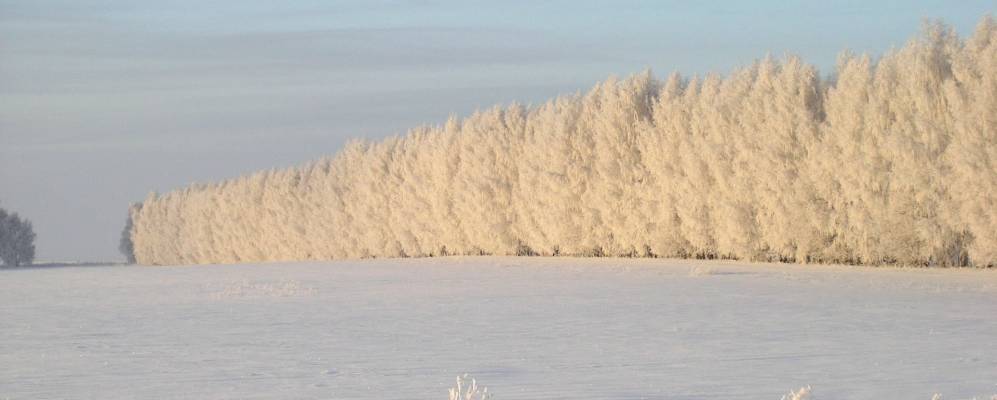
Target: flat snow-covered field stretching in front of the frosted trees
{"type": "Point", "coordinates": [528, 328]}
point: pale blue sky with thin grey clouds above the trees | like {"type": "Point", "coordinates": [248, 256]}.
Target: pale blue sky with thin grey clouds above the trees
{"type": "Point", "coordinates": [102, 102]}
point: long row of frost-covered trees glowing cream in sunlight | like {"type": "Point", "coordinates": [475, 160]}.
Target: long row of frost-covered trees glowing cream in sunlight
{"type": "Point", "coordinates": [886, 161]}
